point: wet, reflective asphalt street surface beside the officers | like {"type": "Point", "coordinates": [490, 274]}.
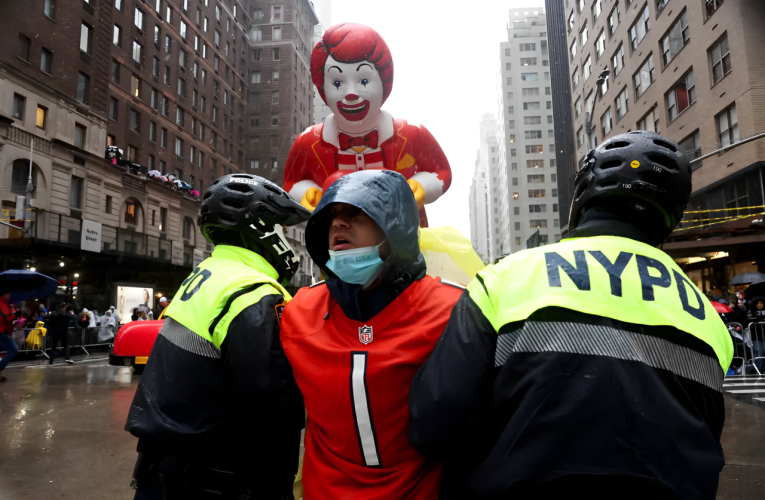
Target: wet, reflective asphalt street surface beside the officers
{"type": "Point", "coordinates": [61, 433]}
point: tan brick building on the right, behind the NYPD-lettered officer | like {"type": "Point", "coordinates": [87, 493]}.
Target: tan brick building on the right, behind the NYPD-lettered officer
{"type": "Point", "coordinates": [691, 70]}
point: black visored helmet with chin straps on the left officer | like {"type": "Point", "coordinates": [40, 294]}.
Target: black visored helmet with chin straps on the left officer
{"type": "Point", "coordinates": [249, 211]}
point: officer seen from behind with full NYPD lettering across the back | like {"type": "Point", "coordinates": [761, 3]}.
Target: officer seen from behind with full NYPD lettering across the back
{"type": "Point", "coordinates": [591, 368]}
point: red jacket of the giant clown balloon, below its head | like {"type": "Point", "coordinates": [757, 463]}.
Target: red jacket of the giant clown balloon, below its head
{"type": "Point", "coordinates": [406, 148]}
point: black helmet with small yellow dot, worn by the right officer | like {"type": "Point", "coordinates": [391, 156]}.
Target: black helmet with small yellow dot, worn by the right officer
{"type": "Point", "coordinates": [640, 165]}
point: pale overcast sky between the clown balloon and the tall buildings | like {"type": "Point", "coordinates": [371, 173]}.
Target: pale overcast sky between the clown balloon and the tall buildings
{"type": "Point", "coordinates": [446, 57]}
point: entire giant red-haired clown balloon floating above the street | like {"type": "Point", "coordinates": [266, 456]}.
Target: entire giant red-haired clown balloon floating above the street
{"type": "Point", "coordinates": [352, 69]}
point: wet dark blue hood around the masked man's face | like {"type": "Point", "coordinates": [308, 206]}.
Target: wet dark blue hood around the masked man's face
{"type": "Point", "coordinates": [387, 198]}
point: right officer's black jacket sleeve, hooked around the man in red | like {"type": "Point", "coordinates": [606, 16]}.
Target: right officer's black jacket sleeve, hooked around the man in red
{"type": "Point", "coordinates": [454, 385]}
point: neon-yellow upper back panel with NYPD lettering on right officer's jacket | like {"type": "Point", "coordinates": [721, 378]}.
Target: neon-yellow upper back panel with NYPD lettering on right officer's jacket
{"type": "Point", "coordinates": [607, 276]}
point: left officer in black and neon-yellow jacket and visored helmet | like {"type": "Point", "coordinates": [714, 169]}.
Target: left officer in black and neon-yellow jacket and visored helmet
{"type": "Point", "coordinates": [217, 412]}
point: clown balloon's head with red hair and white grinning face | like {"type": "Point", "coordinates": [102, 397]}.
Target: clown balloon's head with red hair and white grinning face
{"type": "Point", "coordinates": [353, 70]}
